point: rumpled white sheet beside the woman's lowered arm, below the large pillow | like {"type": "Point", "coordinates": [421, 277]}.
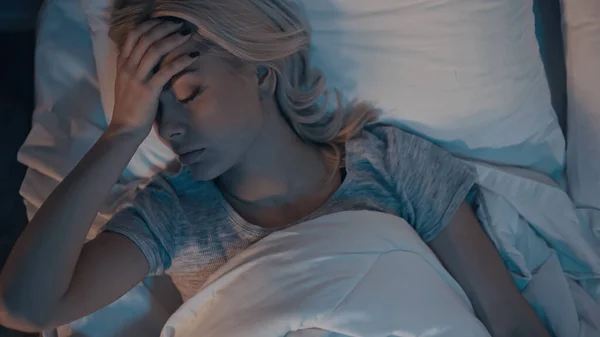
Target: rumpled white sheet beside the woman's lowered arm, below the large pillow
{"type": "Point", "coordinates": [553, 257]}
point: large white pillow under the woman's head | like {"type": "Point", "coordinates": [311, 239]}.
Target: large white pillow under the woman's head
{"type": "Point", "coordinates": [465, 73]}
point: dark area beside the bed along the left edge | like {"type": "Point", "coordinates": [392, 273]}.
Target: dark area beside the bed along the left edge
{"type": "Point", "coordinates": [17, 42]}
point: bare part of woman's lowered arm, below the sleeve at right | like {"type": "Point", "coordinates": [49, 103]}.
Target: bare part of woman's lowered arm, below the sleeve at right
{"type": "Point", "coordinates": [472, 259]}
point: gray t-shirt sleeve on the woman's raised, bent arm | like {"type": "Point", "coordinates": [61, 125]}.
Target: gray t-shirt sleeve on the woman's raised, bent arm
{"type": "Point", "coordinates": [147, 222]}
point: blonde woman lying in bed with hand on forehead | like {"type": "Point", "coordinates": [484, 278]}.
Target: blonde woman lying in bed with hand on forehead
{"type": "Point", "coordinates": [230, 87]}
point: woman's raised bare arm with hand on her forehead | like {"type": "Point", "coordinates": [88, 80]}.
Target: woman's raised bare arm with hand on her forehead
{"type": "Point", "coordinates": [50, 278]}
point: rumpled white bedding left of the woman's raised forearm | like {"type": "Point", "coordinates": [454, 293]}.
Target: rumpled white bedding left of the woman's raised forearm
{"type": "Point", "coordinates": [68, 117]}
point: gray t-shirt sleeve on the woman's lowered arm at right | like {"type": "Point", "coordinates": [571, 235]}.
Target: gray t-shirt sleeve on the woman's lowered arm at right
{"type": "Point", "coordinates": [430, 182]}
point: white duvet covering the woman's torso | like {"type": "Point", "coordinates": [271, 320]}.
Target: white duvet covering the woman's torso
{"type": "Point", "coordinates": [352, 273]}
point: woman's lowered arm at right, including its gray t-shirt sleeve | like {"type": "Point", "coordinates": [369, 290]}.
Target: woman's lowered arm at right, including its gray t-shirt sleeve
{"type": "Point", "coordinates": [431, 185]}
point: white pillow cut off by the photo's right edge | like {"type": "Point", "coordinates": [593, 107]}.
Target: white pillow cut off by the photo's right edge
{"type": "Point", "coordinates": [582, 49]}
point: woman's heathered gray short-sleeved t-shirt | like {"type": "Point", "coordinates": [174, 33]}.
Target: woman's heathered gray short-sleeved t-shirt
{"type": "Point", "coordinates": [187, 229]}
